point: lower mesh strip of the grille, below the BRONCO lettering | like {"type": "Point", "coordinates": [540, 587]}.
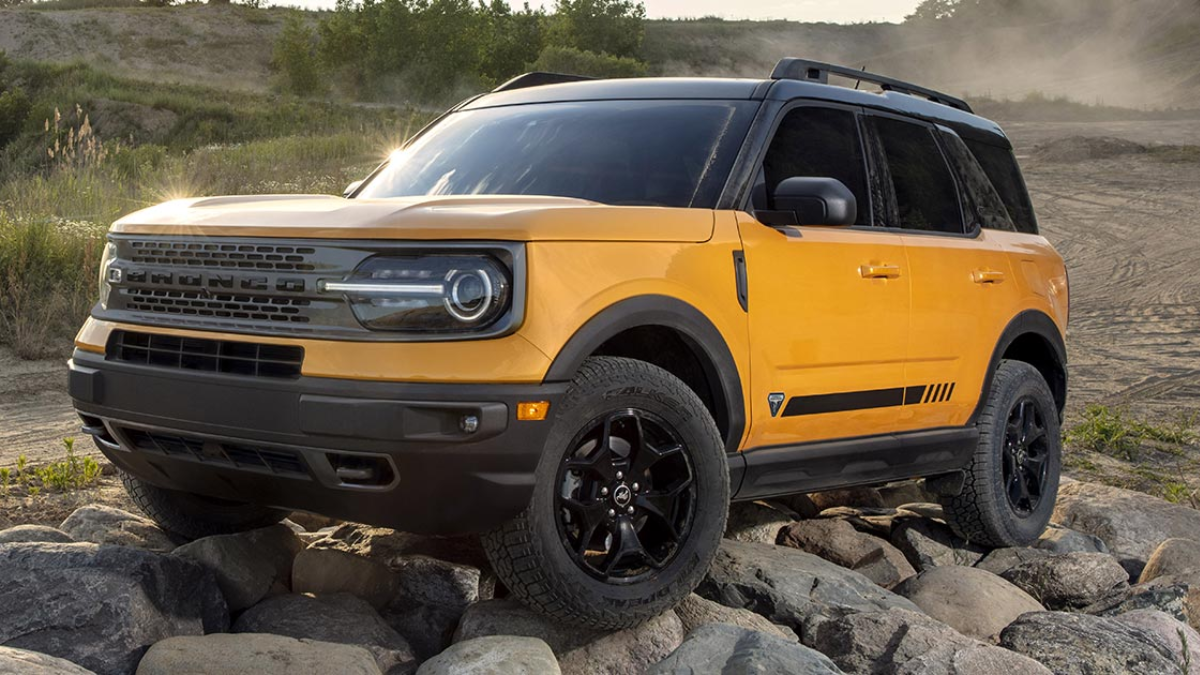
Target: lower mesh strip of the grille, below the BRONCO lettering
{"type": "Point", "coordinates": [194, 303]}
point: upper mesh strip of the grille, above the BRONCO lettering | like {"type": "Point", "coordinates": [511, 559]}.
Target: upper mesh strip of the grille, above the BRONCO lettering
{"type": "Point", "coordinates": [230, 256]}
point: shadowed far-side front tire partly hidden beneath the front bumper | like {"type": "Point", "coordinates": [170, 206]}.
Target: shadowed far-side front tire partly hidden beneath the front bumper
{"type": "Point", "coordinates": [195, 516]}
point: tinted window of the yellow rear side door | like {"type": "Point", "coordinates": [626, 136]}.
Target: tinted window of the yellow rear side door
{"type": "Point", "coordinates": [926, 195]}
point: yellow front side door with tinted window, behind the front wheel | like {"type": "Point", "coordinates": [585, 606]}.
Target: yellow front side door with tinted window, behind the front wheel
{"type": "Point", "coordinates": [829, 306]}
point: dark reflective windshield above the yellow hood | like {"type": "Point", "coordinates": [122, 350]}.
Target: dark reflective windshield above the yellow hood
{"type": "Point", "coordinates": [632, 153]}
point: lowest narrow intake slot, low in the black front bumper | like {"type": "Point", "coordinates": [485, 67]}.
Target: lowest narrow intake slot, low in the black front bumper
{"type": "Point", "coordinates": [238, 456]}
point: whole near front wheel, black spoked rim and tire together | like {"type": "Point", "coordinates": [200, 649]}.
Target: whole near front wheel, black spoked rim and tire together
{"type": "Point", "coordinates": [629, 505]}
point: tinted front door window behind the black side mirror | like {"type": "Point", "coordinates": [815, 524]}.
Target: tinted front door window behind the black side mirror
{"type": "Point", "coordinates": [814, 142]}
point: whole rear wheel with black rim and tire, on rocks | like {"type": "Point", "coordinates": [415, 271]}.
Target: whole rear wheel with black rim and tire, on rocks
{"type": "Point", "coordinates": [1012, 483]}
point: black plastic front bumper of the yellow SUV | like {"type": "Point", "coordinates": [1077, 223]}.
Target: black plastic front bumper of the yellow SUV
{"type": "Point", "coordinates": [385, 453]}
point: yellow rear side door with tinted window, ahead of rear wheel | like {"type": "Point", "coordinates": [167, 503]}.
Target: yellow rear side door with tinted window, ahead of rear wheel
{"type": "Point", "coordinates": [962, 279]}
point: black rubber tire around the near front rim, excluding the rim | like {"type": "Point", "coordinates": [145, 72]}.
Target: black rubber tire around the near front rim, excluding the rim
{"type": "Point", "coordinates": [529, 554]}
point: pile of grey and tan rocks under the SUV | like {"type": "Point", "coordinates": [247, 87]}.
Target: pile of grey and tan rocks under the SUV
{"type": "Point", "coordinates": [859, 582]}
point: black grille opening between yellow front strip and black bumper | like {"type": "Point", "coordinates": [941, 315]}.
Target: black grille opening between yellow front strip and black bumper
{"type": "Point", "coordinates": [209, 356]}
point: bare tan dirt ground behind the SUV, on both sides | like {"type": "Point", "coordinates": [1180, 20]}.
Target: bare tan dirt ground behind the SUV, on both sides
{"type": "Point", "coordinates": [1129, 226]}
